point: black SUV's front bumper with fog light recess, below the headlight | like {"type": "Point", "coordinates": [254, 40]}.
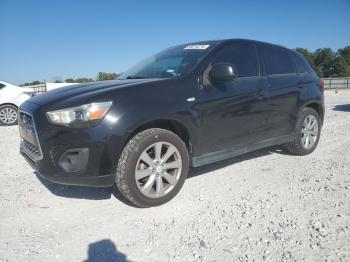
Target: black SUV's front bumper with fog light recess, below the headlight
{"type": "Point", "coordinates": [94, 168]}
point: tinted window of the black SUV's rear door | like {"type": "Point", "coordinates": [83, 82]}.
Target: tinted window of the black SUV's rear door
{"type": "Point", "coordinates": [278, 60]}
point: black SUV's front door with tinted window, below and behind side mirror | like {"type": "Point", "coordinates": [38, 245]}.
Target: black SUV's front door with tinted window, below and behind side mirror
{"type": "Point", "coordinates": [234, 113]}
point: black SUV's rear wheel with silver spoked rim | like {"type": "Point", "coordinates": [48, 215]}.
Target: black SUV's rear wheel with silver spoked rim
{"type": "Point", "coordinates": [298, 145]}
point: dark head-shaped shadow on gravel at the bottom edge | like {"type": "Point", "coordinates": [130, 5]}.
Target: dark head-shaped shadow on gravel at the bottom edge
{"type": "Point", "coordinates": [104, 251]}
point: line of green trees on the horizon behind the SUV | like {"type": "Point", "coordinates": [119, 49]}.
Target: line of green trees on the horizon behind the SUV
{"type": "Point", "coordinates": [325, 62]}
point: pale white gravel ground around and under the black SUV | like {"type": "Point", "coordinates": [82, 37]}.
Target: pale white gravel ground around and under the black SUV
{"type": "Point", "coordinates": [265, 205]}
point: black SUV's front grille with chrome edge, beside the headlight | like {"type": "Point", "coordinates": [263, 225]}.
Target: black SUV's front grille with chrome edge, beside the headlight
{"type": "Point", "coordinates": [29, 139]}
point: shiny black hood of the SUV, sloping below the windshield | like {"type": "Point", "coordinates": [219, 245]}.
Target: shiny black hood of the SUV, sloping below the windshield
{"type": "Point", "coordinates": [94, 88]}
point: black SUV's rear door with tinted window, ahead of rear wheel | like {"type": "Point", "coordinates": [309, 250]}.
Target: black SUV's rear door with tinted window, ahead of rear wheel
{"type": "Point", "coordinates": [283, 89]}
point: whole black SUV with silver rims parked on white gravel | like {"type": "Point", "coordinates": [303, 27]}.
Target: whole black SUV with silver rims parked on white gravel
{"type": "Point", "coordinates": [188, 105]}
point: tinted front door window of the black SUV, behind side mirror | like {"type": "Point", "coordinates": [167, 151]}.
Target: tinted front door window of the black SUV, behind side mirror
{"type": "Point", "coordinates": [242, 56]}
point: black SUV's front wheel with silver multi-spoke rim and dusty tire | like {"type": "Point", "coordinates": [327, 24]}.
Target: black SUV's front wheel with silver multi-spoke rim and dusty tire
{"type": "Point", "coordinates": [142, 180]}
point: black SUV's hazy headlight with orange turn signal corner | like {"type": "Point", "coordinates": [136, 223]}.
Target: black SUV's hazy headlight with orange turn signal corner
{"type": "Point", "coordinates": [81, 116]}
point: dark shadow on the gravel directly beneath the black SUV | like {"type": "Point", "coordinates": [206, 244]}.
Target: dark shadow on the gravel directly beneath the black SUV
{"type": "Point", "coordinates": [93, 193]}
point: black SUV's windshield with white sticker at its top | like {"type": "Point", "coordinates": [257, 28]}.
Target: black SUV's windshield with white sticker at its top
{"type": "Point", "coordinates": [170, 63]}
